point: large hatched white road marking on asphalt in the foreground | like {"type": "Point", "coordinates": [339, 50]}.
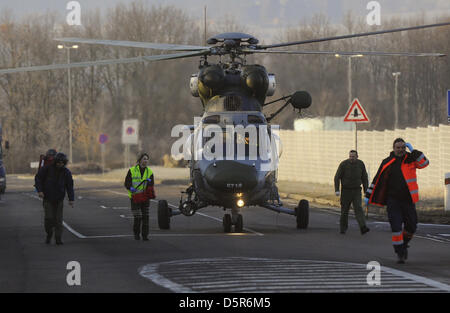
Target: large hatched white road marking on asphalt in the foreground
{"type": "Point", "coordinates": [240, 274]}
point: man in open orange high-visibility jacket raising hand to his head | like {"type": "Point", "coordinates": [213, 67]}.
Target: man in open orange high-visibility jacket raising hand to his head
{"type": "Point", "coordinates": [395, 185]}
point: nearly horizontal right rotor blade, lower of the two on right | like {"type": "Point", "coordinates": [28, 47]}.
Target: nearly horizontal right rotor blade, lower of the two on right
{"type": "Point", "coordinates": [354, 53]}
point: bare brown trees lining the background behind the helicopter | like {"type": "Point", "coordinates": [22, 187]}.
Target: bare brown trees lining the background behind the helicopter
{"type": "Point", "coordinates": [34, 105]}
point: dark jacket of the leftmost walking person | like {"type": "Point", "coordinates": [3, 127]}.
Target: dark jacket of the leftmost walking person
{"type": "Point", "coordinates": [54, 183]}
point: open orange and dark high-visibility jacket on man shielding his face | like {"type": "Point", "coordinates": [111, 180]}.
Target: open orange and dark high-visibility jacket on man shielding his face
{"type": "Point", "coordinates": [378, 191]}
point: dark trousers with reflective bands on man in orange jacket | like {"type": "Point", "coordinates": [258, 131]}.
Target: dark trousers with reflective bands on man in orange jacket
{"type": "Point", "coordinates": [403, 219]}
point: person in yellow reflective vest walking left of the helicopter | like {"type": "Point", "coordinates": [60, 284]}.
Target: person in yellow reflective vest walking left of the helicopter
{"type": "Point", "coordinates": [137, 174]}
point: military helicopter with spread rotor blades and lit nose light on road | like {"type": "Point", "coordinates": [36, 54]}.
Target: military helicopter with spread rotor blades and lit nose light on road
{"type": "Point", "coordinates": [233, 94]}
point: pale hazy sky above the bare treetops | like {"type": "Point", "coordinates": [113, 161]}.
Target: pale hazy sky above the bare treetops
{"type": "Point", "coordinates": [254, 14]}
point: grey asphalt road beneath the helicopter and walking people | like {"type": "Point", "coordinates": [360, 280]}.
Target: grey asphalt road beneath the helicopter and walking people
{"type": "Point", "coordinates": [271, 255]}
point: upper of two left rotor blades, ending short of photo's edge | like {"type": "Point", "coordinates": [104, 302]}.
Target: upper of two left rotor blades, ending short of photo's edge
{"type": "Point", "coordinates": [133, 44]}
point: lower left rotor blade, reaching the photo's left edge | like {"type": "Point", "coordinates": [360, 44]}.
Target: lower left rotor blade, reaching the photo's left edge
{"type": "Point", "coordinates": [103, 62]}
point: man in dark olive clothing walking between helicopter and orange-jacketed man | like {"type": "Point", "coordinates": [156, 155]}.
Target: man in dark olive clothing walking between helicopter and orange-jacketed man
{"type": "Point", "coordinates": [351, 173]}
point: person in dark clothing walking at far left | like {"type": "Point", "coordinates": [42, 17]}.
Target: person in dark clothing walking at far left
{"type": "Point", "coordinates": [52, 182]}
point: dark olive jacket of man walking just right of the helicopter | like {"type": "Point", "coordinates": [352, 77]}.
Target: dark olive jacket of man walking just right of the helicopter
{"type": "Point", "coordinates": [352, 175]}
